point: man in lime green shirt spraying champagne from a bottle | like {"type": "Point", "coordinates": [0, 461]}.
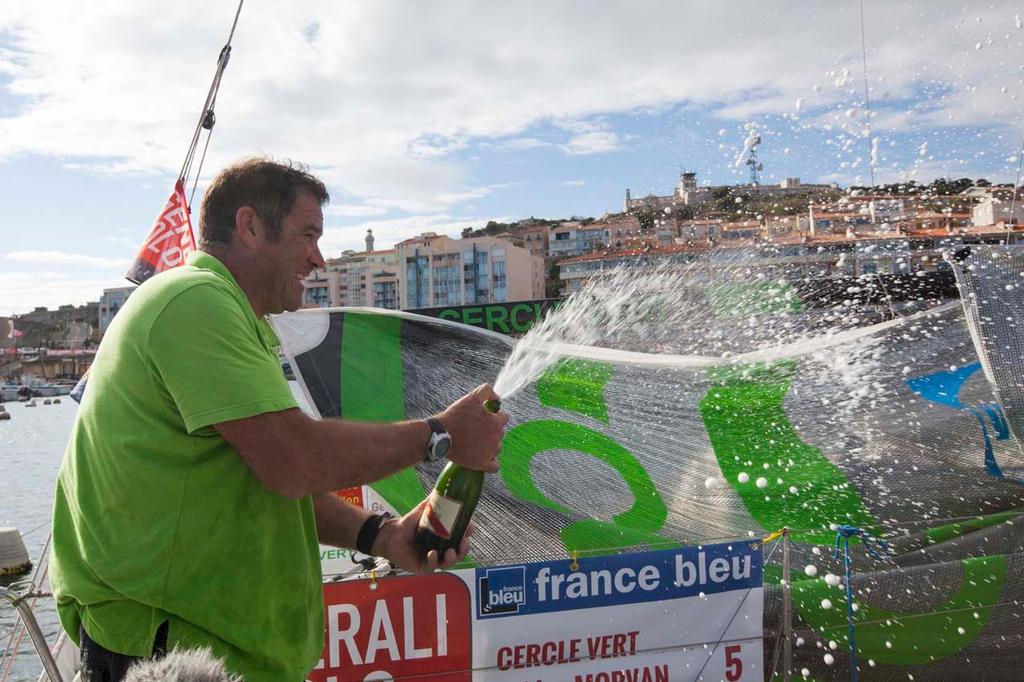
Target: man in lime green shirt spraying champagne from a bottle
{"type": "Point", "coordinates": [194, 492]}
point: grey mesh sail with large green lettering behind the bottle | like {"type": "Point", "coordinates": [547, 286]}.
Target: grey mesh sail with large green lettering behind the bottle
{"type": "Point", "coordinates": [875, 416]}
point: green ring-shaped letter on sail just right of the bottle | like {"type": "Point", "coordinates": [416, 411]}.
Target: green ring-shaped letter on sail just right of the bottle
{"type": "Point", "coordinates": [636, 527]}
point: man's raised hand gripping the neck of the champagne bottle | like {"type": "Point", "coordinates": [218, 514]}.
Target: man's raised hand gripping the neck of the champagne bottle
{"type": "Point", "coordinates": [477, 433]}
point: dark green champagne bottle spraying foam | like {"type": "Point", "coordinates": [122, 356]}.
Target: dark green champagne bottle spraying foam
{"type": "Point", "coordinates": [451, 505]}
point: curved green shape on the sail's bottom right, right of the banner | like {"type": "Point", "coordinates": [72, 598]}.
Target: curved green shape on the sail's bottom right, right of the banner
{"type": "Point", "coordinates": [913, 638]}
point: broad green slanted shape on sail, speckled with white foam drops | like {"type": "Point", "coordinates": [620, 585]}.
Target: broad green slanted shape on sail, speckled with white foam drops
{"type": "Point", "coordinates": [749, 430]}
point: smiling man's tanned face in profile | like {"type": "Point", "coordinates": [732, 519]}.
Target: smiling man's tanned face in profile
{"type": "Point", "coordinates": [295, 254]}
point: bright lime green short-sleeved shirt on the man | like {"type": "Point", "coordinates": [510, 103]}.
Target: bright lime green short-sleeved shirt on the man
{"type": "Point", "coordinates": [157, 518]}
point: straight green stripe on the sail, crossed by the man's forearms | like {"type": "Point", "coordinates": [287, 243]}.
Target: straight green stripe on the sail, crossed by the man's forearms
{"type": "Point", "coordinates": [372, 391]}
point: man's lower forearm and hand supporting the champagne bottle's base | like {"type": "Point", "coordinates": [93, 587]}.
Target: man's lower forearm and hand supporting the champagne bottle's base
{"type": "Point", "coordinates": [338, 524]}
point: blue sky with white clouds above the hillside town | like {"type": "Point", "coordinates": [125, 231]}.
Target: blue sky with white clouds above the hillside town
{"type": "Point", "coordinates": [438, 116]}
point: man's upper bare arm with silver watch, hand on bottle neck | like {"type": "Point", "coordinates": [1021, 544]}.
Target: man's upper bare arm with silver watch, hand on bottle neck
{"type": "Point", "coordinates": [296, 456]}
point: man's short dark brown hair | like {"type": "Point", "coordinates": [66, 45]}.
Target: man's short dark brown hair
{"type": "Point", "coordinates": [268, 187]}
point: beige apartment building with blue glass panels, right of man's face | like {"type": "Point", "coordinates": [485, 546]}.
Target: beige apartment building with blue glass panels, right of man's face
{"type": "Point", "coordinates": [437, 271]}
